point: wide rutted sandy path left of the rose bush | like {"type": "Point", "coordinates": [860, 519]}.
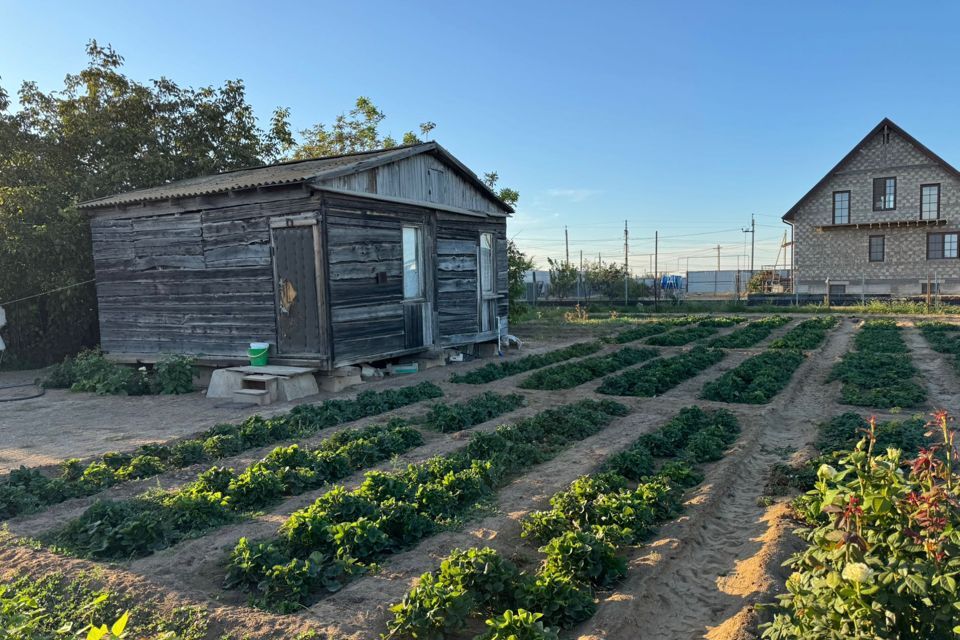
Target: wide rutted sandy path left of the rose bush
{"type": "Point", "coordinates": [704, 573]}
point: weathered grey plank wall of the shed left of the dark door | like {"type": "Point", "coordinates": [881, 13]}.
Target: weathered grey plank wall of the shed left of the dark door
{"type": "Point", "coordinates": [198, 282]}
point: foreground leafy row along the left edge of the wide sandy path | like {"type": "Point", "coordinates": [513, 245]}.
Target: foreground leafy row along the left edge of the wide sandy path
{"type": "Point", "coordinates": [583, 537]}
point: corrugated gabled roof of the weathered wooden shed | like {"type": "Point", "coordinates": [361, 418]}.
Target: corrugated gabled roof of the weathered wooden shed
{"type": "Point", "coordinates": [288, 173]}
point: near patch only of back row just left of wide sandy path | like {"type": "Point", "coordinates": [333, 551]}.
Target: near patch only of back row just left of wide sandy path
{"type": "Point", "coordinates": [756, 380]}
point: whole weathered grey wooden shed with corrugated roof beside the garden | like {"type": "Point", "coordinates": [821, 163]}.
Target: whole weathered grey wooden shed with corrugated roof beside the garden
{"type": "Point", "coordinates": [333, 261]}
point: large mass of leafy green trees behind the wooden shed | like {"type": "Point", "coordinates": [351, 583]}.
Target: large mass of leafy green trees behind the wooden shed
{"type": "Point", "coordinates": [105, 133]}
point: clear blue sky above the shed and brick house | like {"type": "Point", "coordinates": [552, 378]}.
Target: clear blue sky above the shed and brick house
{"type": "Point", "coordinates": [683, 118]}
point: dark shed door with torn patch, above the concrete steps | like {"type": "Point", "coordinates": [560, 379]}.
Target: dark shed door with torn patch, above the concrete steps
{"type": "Point", "coordinates": [295, 253]}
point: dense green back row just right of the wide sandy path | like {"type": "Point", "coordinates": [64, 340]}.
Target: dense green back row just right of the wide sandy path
{"type": "Point", "coordinates": [878, 373]}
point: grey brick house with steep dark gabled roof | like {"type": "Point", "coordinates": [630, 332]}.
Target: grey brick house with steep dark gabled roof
{"type": "Point", "coordinates": [884, 220]}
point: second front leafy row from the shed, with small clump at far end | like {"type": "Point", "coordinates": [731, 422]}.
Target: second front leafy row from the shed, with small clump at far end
{"type": "Point", "coordinates": [159, 519]}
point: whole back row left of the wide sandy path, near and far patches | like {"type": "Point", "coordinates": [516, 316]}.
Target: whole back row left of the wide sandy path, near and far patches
{"type": "Point", "coordinates": [759, 378]}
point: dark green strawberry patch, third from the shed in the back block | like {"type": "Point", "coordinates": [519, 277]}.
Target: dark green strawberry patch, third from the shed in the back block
{"type": "Point", "coordinates": [662, 374]}
